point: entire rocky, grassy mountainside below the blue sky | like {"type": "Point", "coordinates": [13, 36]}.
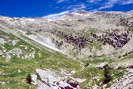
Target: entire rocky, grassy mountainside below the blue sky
{"type": "Point", "coordinates": [82, 50]}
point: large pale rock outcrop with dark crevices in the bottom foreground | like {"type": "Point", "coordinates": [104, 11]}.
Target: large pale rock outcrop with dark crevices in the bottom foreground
{"type": "Point", "coordinates": [49, 79]}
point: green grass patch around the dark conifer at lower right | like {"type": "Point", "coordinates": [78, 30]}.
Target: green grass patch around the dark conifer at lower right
{"type": "Point", "coordinates": [94, 76]}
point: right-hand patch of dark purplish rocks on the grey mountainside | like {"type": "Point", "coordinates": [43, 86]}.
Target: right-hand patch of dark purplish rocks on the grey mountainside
{"type": "Point", "coordinates": [116, 39]}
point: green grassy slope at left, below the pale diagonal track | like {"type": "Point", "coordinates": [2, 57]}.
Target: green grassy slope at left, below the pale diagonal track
{"type": "Point", "coordinates": [14, 72]}
